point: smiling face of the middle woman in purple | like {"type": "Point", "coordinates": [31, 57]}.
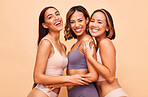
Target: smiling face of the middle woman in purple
{"type": "Point", "coordinates": [78, 23]}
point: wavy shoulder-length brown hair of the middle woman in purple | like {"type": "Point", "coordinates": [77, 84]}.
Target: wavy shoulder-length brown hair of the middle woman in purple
{"type": "Point", "coordinates": [69, 34]}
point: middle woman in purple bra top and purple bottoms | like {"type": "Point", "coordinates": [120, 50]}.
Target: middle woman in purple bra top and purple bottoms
{"type": "Point", "coordinates": [77, 19]}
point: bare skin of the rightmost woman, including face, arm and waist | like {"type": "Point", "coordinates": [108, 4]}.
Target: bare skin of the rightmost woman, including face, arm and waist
{"type": "Point", "coordinates": [98, 27]}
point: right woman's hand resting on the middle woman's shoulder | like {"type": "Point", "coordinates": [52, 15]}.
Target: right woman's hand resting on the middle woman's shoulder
{"type": "Point", "coordinates": [88, 51]}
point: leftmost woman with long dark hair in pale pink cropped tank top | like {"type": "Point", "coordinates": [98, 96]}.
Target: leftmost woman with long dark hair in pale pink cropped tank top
{"type": "Point", "coordinates": [51, 56]}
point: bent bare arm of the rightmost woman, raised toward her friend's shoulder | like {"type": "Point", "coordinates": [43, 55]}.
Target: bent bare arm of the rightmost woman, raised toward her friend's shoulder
{"type": "Point", "coordinates": [108, 57]}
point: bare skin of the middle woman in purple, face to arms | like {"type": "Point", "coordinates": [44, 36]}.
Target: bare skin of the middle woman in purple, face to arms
{"type": "Point", "coordinates": [78, 25]}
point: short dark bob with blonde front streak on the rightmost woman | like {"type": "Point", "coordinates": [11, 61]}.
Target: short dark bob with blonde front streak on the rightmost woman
{"type": "Point", "coordinates": [111, 33]}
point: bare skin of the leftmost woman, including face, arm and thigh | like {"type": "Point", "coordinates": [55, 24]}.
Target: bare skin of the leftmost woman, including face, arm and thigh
{"type": "Point", "coordinates": [46, 50]}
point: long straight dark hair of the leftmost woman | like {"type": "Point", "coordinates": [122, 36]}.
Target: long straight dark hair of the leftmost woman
{"type": "Point", "coordinates": [42, 31]}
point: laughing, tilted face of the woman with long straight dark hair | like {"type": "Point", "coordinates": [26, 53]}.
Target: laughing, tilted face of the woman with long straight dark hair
{"type": "Point", "coordinates": [53, 20]}
